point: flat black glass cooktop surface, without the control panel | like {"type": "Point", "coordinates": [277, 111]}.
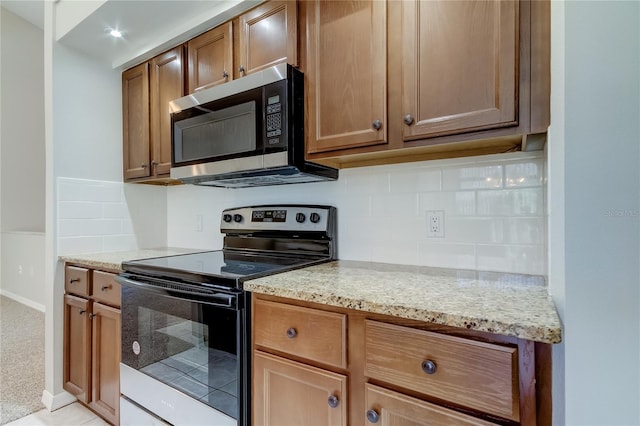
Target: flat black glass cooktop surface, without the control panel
{"type": "Point", "coordinates": [217, 267]}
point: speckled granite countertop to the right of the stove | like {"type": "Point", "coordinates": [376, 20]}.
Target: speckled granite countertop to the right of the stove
{"type": "Point", "coordinates": [500, 303]}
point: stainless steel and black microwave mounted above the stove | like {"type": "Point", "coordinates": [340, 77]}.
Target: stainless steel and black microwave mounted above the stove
{"type": "Point", "coordinates": [247, 132]}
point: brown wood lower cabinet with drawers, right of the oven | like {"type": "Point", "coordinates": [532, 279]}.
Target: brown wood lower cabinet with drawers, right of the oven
{"type": "Point", "coordinates": [399, 371]}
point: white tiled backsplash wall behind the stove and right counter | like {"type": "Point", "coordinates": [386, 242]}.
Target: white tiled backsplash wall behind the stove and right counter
{"type": "Point", "coordinates": [494, 212]}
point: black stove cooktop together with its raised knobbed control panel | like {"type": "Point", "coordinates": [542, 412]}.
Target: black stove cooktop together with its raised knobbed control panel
{"type": "Point", "coordinates": [259, 241]}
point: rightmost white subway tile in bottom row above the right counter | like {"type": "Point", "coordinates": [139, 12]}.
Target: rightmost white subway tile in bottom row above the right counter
{"type": "Point", "coordinates": [522, 259]}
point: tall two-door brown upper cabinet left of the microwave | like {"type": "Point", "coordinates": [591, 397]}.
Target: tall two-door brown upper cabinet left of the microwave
{"type": "Point", "coordinates": [146, 92]}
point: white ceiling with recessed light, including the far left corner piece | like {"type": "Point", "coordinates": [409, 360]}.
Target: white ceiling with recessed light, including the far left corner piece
{"type": "Point", "coordinates": [149, 26]}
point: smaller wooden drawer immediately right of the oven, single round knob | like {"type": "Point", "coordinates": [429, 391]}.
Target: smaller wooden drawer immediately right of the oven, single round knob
{"type": "Point", "coordinates": [308, 333]}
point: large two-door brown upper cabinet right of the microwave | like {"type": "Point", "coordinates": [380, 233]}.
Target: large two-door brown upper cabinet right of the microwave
{"type": "Point", "coordinates": [436, 79]}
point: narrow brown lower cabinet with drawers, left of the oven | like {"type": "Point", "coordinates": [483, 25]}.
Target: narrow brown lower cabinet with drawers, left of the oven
{"type": "Point", "coordinates": [92, 341]}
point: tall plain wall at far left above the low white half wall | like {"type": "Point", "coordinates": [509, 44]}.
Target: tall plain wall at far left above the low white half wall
{"type": "Point", "coordinates": [22, 166]}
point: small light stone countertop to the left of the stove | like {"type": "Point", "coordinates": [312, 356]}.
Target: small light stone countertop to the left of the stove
{"type": "Point", "coordinates": [113, 260]}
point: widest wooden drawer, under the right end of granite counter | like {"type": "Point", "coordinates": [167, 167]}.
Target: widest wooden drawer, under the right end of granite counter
{"type": "Point", "coordinates": [473, 374]}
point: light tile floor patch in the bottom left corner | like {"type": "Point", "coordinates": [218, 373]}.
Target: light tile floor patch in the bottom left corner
{"type": "Point", "coordinates": [71, 415]}
